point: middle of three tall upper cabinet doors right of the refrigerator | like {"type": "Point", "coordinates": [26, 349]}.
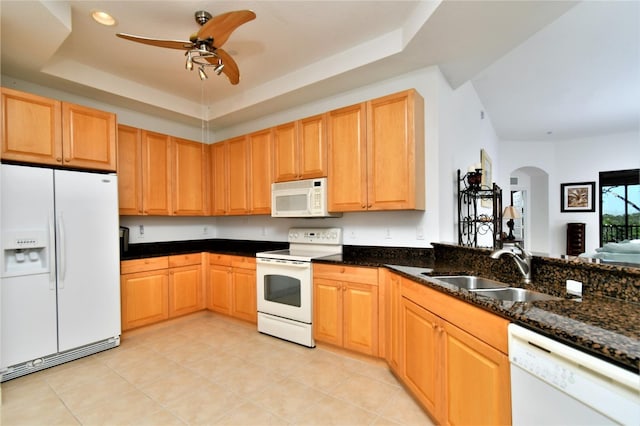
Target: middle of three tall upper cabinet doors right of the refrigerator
{"type": "Point", "coordinates": [156, 179]}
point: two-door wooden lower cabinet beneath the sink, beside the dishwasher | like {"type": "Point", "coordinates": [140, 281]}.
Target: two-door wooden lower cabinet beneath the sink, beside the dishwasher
{"type": "Point", "coordinates": [458, 377]}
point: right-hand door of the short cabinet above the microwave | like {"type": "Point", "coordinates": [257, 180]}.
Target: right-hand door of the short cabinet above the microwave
{"type": "Point", "coordinates": [312, 143]}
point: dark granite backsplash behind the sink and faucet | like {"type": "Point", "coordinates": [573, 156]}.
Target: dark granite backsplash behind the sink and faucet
{"type": "Point", "coordinates": [549, 275]}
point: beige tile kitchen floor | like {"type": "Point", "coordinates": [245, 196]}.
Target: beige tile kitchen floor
{"type": "Point", "coordinates": [208, 369]}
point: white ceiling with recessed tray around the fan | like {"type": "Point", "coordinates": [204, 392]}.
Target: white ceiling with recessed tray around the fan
{"type": "Point", "coordinates": [538, 66]}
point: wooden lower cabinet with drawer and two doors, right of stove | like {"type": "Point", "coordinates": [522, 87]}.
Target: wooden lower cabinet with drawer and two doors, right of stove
{"type": "Point", "coordinates": [345, 308]}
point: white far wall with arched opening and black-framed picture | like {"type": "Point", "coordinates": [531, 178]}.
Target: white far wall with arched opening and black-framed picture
{"type": "Point", "coordinates": [576, 160]}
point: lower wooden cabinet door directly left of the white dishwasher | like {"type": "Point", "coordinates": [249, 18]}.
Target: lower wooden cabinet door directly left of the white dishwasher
{"type": "Point", "coordinates": [477, 381]}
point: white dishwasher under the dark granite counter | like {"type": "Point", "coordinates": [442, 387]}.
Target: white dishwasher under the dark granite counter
{"type": "Point", "coordinates": [554, 384]}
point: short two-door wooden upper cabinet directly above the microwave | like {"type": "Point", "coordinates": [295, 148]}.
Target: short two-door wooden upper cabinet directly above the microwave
{"type": "Point", "coordinates": [300, 150]}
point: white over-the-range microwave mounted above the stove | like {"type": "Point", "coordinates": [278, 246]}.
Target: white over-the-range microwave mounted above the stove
{"type": "Point", "coordinates": [300, 198]}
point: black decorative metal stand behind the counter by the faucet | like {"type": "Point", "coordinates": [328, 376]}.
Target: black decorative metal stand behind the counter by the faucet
{"type": "Point", "coordinates": [471, 222]}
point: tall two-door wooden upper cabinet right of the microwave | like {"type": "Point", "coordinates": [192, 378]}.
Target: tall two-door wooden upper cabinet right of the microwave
{"type": "Point", "coordinates": [376, 154]}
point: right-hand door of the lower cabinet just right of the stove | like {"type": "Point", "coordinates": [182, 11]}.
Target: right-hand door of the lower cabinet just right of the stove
{"type": "Point", "coordinates": [360, 313]}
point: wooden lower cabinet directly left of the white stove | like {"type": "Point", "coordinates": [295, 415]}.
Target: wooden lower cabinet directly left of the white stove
{"type": "Point", "coordinates": [231, 288]}
